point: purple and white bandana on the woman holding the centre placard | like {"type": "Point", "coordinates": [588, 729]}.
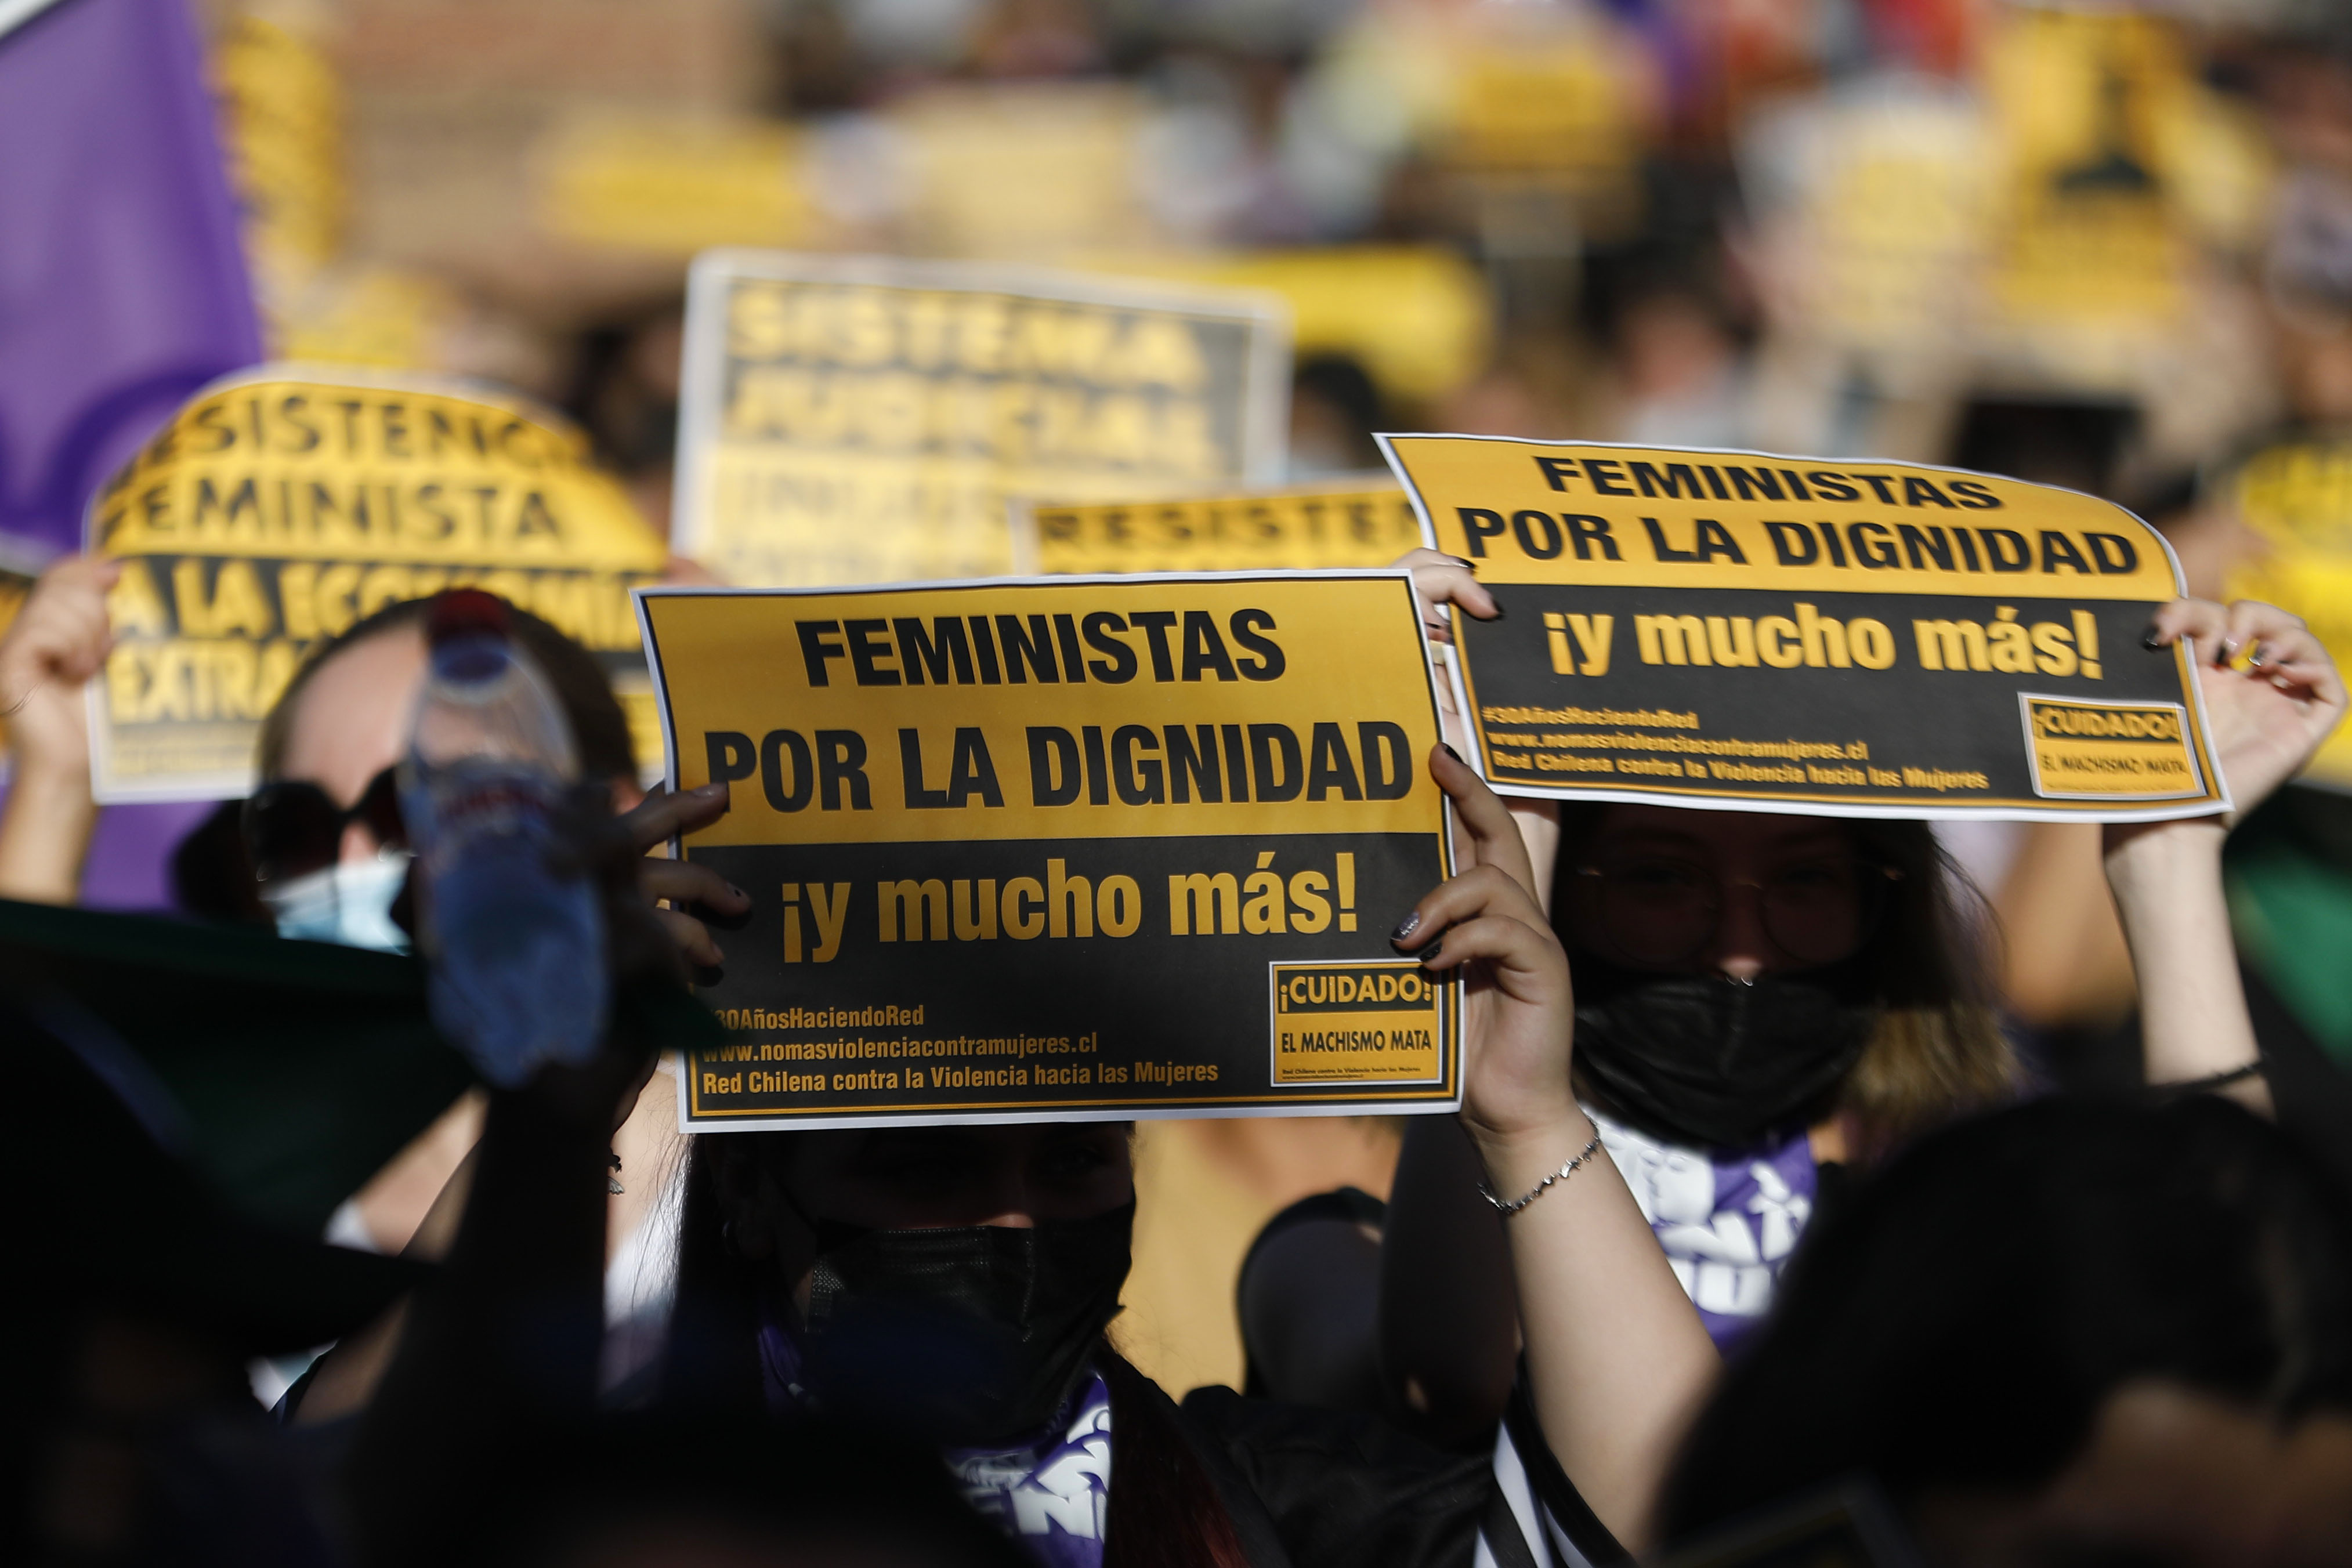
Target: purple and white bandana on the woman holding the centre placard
{"type": "Point", "coordinates": [1050, 1494]}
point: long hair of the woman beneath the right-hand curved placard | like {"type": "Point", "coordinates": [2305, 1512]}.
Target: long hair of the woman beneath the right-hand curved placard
{"type": "Point", "coordinates": [1939, 1050]}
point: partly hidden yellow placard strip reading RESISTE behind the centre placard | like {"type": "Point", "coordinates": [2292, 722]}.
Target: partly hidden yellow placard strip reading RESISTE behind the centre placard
{"type": "Point", "coordinates": [1356, 521]}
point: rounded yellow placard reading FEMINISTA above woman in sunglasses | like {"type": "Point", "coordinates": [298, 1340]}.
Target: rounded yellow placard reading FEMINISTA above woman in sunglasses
{"type": "Point", "coordinates": [286, 504]}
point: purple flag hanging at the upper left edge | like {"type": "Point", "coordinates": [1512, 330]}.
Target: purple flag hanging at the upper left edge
{"type": "Point", "coordinates": [121, 293]}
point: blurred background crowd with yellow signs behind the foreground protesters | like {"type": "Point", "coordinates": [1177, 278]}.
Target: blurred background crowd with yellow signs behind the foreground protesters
{"type": "Point", "coordinates": [2092, 246]}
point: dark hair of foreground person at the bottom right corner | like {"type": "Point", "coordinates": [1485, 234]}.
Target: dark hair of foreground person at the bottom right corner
{"type": "Point", "coordinates": [1965, 1320]}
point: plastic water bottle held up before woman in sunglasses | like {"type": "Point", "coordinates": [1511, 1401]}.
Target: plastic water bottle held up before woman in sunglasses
{"type": "Point", "coordinates": [514, 944]}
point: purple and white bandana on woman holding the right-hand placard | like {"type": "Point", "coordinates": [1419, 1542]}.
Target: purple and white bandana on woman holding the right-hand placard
{"type": "Point", "coordinates": [1728, 1221]}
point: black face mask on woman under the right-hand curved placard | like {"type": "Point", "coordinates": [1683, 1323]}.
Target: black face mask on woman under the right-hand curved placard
{"type": "Point", "coordinates": [1716, 1064]}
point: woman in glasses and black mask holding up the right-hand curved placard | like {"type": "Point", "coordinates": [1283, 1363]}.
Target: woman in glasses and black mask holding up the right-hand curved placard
{"type": "Point", "coordinates": [1770, 1003]}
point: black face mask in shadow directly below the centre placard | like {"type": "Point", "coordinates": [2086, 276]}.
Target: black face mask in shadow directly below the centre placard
{"type": "Point", "coordinates": [965, 1334]}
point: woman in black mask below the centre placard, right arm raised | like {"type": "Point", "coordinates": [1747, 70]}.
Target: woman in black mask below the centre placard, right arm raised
{"type": "Point", "coordinates": [956, 1285]}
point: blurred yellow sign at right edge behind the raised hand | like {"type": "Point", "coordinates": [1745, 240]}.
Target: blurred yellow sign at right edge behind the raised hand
{"type": "Point", "coordinates": [2299, 502]}
